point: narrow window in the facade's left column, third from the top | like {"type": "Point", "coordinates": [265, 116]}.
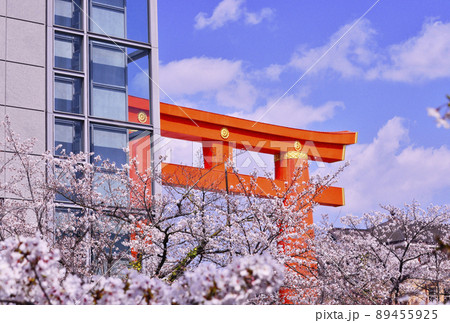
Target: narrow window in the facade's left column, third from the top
{"type": "Point", "coordinates": [68, 94]}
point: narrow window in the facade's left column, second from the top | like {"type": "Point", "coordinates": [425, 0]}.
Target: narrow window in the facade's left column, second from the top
{"type": "Point", "coordinates": [68, 51]}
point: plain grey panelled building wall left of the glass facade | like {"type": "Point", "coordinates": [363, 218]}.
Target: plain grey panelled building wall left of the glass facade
{"type": "Point", "coordinates": [23, 70]}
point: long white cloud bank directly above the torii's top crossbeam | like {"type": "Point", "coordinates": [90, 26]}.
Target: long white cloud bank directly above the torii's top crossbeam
{"type": "Point", "coordinates": [216, 82]}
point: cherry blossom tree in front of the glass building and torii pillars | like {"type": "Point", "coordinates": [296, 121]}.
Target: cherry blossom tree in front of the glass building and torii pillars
{"type": "Point", "coordinates": [101, 218]}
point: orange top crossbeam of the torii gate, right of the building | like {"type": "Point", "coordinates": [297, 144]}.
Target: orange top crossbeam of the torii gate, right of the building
{"type": "Point", "coordinates": [196, 125]}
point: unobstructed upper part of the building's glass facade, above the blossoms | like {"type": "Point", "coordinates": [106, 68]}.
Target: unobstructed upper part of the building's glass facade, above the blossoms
{"type": "Point", "coordinates": [101, 63]}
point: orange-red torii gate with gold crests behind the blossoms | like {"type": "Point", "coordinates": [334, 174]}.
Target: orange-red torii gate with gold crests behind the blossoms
{"type": "Point", "coordinates": [219, 134]}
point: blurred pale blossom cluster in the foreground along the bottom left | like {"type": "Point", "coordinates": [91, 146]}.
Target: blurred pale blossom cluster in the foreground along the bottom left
{"type": "Point", "coordinates": [30, 274]}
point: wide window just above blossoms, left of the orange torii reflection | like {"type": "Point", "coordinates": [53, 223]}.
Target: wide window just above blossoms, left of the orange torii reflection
{"type": "Point", "coordinates": [109, 143]}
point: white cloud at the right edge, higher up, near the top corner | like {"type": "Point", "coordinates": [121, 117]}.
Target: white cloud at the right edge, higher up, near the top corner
{"type": "Point", "coordinates": [423, 57]}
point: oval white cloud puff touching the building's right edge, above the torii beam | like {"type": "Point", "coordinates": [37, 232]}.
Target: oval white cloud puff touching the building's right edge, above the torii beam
{"type": "Point", "coordinates": [197, 74]}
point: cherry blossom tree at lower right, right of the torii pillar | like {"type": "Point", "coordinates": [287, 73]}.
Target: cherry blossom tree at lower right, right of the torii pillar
{"type": "Point", "coordinates": [384, 257]}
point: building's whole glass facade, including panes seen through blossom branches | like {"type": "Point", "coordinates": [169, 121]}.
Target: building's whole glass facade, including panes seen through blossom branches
{"type": "Point", "coordinates": [100, 104]}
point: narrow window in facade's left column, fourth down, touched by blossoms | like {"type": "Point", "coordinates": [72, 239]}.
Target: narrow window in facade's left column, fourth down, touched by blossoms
{"type": "Point", "coordinates": [68, 134]}
